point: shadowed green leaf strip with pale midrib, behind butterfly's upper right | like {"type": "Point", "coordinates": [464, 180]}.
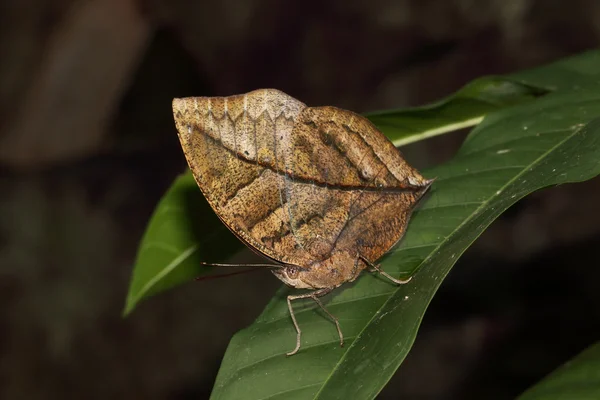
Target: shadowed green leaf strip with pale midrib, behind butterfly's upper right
{"type": "Point", "coordinates": [468, 106]}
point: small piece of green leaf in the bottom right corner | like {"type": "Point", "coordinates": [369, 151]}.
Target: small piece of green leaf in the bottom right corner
{"type": "Point", "coordinates": [577, 379]}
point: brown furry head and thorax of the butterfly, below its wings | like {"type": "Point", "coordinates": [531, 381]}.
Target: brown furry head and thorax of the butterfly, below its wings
{"type": "Point", "coordinates": [331, 272]}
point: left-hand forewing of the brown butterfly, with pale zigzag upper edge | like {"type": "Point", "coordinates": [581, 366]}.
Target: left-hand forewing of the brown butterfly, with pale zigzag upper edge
{"type": "Point", "coordinates": [231, 146]}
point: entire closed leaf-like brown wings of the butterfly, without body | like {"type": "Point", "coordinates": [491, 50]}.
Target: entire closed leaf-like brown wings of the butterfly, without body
{"type": "Point", "coordinates": [294, 182]}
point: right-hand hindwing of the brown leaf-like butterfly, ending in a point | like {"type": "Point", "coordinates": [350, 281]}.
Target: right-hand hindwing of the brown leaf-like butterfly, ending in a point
{"type": "Point", "coordinates": [350, 189]}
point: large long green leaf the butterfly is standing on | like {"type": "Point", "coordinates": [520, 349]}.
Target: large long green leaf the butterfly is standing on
{"type": "Point", "coordinates": [511, 154]}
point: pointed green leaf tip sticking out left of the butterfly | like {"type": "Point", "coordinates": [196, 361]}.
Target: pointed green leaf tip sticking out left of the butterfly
{"type": "Point", "coordinates": [183, 232]}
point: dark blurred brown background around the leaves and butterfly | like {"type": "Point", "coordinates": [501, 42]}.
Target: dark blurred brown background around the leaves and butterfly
{"type": "Point", "coordinates": [88, 146]}
